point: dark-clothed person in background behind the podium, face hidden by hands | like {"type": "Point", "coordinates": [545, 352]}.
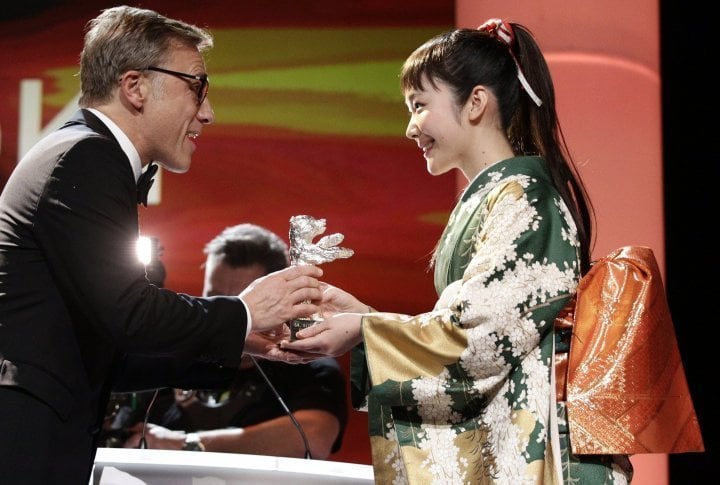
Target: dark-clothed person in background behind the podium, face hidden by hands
{"type": "Point", "coordinates": [248, 417]}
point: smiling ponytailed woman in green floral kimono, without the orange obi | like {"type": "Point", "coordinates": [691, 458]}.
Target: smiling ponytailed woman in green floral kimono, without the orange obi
{"type": "Point", "coordinates": [465, 393]}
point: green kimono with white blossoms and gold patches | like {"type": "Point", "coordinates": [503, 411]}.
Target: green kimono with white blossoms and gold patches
{"type": "Point", "coordinates": [464, 393]}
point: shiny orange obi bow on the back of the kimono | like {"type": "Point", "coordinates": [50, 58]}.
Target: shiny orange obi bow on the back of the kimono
{"type": "Point", "coordinates": [623, 379]}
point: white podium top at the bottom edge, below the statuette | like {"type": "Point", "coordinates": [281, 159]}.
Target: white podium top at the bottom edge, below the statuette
{"type": "Point", "coordinates": [118, 466]}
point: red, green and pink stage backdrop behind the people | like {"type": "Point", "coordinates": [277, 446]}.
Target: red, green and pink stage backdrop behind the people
{"type": "Point", "coordinates": [309, 119]}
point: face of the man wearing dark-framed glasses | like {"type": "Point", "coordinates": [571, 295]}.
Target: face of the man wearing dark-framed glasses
{"type": "Point", "coordinates": [173, 118]}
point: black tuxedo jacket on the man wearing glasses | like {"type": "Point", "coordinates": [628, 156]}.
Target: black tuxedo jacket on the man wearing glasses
{"type": "Point", "coordinates": [78, 317]}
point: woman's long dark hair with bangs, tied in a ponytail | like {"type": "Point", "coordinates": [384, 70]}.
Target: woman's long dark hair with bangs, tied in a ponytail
{"type": "Point", "coordinates": [465, 58]}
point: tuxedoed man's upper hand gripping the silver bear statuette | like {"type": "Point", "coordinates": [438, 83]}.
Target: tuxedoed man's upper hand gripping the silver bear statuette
{"type": "Point", "coordinates": [282, 296]}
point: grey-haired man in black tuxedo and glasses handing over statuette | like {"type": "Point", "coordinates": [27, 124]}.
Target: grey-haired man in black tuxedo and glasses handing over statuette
{"type": "Point", "coordinates": [78, 316]}
